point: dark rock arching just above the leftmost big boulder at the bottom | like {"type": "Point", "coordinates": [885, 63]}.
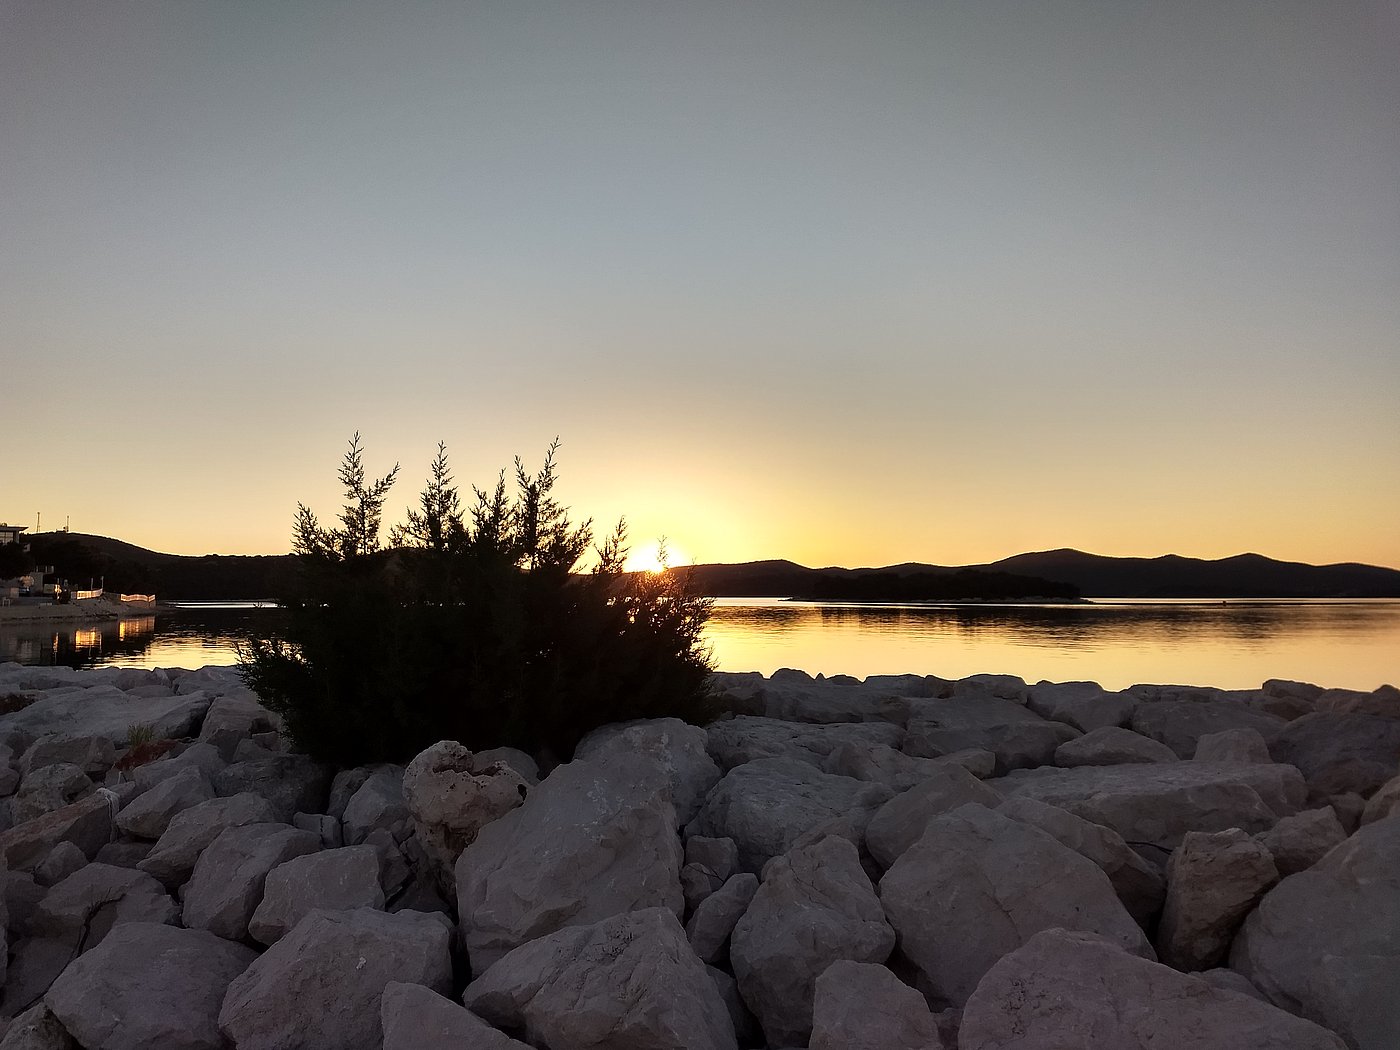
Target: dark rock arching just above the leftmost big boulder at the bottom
{"type": "Point", "coordinates": [92, 902]}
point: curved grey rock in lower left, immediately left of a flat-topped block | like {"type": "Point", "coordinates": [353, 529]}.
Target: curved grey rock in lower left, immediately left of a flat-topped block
{"type": "Point", "coordinates": [229, 880]}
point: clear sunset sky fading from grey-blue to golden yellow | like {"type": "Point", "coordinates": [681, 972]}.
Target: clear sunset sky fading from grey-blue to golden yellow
{"type": "Point", "coordinates": [848, 283]}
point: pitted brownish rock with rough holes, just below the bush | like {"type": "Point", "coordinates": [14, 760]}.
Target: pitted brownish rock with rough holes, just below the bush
{"type": "Point", "coordinates": [451, 796]}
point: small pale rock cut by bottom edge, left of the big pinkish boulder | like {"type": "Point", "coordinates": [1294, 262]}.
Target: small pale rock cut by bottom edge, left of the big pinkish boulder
{"type": "Point", "coordinates": [866, 1007]}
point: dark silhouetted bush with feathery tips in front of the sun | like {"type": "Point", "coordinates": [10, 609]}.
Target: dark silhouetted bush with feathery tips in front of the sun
{"type": "Point", "coordinates": [474, 625]}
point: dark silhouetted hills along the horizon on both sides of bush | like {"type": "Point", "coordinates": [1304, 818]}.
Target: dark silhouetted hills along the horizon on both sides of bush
{"type": "Point", "coordinates": [1048, 575]}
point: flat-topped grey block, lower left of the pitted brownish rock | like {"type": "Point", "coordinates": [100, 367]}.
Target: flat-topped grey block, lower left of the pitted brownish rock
{"type": "Point", "coordinates": [331, 880]}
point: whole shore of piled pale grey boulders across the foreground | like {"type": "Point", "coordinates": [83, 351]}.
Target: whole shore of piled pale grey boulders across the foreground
{"type": "Point", "coordinates": [904, 863]}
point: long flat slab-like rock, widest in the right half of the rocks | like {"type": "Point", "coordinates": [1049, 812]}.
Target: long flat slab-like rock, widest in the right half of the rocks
{"type": "Point", "coordinates": [1160, 803]}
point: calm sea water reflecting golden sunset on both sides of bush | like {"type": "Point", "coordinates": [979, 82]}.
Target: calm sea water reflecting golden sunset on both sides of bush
{"type": "Point", "coordinates": [1234, 645]}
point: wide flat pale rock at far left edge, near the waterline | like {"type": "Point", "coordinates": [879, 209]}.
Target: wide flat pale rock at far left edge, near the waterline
{"type": "Point", "coordinates": [110, 713]}
